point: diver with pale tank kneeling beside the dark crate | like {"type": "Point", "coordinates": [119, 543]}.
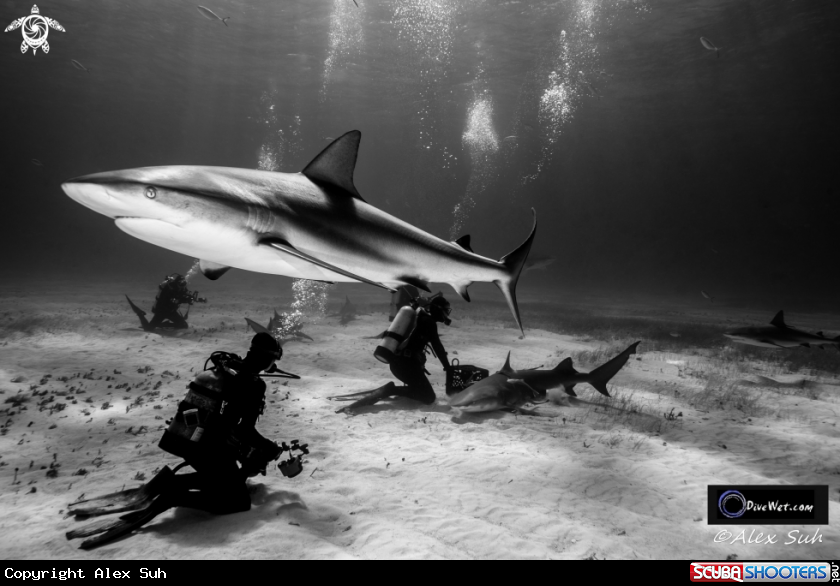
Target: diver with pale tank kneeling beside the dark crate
{"type": "Point", "coordinates": [406, 354]}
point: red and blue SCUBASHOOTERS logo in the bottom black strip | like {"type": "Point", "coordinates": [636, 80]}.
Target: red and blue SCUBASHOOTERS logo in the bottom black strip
{"type": "Point", "coordinates": [791, 572]}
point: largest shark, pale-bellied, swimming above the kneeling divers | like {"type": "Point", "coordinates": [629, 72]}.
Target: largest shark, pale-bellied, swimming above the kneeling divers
{"type": "Point", "coordinates": [309, 225]}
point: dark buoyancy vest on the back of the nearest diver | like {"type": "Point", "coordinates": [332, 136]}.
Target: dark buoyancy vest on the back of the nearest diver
{"type": "Point", "coordinates": [205, 418]}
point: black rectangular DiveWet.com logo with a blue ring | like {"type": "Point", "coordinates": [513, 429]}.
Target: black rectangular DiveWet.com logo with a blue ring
{"type": "Point", "coordinates": [768, 505]}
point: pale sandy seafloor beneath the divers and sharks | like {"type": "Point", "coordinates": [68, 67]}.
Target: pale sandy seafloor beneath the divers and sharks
{"type": "Point", "coordinates": [401, 480]}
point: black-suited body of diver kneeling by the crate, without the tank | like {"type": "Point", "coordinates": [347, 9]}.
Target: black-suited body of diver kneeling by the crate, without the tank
{"type": "Point", "coordinates": [409, 364]}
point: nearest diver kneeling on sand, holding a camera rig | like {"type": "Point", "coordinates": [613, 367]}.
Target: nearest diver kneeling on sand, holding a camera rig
{"type": "Point", "coordinates": [214, 430]}
